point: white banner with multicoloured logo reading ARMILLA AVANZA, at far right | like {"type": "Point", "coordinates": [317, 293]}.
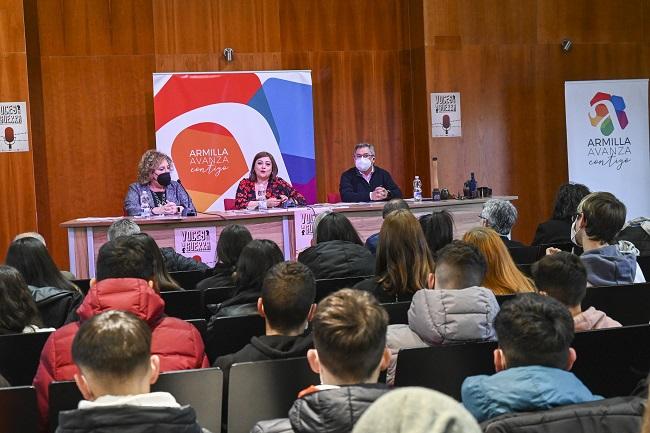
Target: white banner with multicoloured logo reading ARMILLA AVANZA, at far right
{"type": "Point", "coordinates": [607, 139]}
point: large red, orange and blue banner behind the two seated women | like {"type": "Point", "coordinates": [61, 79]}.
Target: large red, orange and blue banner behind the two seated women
{"type": "Point", "coordinates": [213, 124]}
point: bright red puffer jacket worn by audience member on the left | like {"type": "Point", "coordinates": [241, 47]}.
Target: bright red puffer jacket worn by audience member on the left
{"type": "Point", "coordinates": [177, 343]}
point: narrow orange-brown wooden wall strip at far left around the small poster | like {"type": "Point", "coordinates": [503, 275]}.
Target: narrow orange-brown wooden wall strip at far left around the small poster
{"type": "Point", "coordinates": [18, 209]}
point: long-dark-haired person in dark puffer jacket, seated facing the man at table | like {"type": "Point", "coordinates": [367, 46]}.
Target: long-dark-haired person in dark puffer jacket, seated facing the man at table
{"type": "Point", "coordinates": [339, 251]}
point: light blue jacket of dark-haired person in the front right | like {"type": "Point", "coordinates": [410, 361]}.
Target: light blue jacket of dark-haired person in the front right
{"type": "Point", "coordinates": [522, 389]}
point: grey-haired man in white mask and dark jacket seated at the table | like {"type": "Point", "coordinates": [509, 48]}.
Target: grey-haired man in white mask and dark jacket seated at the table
{"type": "Point", "coordinates": [366, 181]}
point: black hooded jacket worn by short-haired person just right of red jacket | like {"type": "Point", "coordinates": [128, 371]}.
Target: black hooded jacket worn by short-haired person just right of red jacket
{"type": "Point", "coordinates": [268, 347]}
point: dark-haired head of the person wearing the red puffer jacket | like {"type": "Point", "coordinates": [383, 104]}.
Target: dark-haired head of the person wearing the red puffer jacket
{"type": "Point", "coordinates": [125, 257]}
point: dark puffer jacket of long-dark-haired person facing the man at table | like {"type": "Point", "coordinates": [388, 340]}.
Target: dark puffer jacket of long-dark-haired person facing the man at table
{"type": "Point", "coordinates": [338, 259]}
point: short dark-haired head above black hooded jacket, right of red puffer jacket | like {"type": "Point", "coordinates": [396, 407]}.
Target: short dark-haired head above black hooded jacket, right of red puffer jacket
{"type": "Point", "coordinates": [287, 300]}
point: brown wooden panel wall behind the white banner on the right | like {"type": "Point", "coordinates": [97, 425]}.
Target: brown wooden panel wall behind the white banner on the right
{"type": "Point", "coordinates": [504, 57]}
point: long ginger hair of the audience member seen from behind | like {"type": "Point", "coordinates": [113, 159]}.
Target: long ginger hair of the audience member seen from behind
{"type": "Point", "coordinates": [502, 277]}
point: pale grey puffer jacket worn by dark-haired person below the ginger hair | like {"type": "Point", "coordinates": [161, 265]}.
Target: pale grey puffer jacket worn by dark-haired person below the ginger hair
{"type": "Point", "coordinates": [438, 317]}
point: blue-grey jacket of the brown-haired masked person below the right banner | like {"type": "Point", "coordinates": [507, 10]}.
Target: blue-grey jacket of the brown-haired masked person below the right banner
{"type": "Point", "coordinates": [610, 265]}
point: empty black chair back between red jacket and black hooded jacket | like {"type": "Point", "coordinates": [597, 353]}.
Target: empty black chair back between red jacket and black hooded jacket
{"type": "Point", "coordinates": [229, 334]}
